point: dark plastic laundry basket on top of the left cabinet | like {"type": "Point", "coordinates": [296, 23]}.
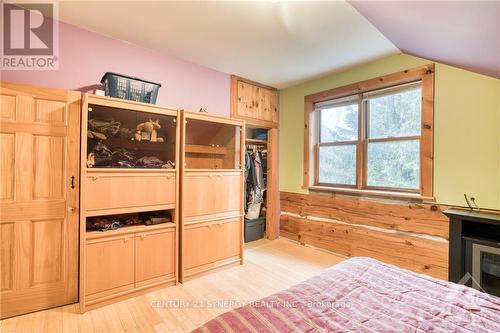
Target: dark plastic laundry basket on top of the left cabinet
{"type": "Point", "coordinates": [131, 88]}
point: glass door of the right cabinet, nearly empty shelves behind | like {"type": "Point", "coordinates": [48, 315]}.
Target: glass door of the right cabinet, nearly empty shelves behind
{"type": "Point", "coordinates": [212, 145]}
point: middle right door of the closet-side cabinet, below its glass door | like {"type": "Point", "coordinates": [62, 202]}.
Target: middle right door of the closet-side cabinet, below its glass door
{"type": "Point", "coordinates": [228, 195]}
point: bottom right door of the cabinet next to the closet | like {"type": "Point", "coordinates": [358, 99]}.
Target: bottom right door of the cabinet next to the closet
{"type": "Point", "coordinates": [226, 237]}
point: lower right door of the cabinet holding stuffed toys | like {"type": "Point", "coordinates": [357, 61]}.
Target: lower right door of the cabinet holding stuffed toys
{"type": "Point", "coordinates": [154, 255]}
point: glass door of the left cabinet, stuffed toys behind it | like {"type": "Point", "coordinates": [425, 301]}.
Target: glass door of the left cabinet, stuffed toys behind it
{"type": "Point", "coordinates": [119, 138]}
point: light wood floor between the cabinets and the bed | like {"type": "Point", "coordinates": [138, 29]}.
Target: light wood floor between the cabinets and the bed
{"type": "Point", "coordinates": [269, 266]}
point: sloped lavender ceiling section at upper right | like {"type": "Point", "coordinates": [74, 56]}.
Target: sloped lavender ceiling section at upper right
{"type": "Point", "coordinates": [465, 34]}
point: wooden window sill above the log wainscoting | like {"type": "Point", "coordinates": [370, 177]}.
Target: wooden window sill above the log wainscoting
{"type": "Point", "coordinates": [372, 193]}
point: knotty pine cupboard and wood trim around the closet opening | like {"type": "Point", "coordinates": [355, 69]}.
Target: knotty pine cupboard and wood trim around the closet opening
{"type": "Point", "coordinates": [258, 105]}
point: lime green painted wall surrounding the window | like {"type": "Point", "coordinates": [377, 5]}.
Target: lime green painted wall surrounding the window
{"type": "Point", "coordinates": [466, 129]}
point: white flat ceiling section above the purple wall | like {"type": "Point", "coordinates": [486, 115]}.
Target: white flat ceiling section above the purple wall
{"type": "Point", "coordinates": [275, 43]}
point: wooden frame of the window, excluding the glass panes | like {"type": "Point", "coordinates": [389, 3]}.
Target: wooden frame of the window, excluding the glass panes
{"type": "Point", "coordinates": [424, 75]}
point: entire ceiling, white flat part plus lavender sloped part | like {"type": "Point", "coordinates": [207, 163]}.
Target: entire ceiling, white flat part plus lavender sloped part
{"type": "Point", "coordinates": [281, 43]}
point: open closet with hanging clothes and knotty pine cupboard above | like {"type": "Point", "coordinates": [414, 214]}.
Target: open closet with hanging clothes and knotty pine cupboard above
{"type": "Point", "coordinates": [258, 105]}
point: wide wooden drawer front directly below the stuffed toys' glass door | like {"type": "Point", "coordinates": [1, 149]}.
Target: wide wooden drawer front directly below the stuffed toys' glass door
{"type": "Point", "coordinates": [127, 190]}
